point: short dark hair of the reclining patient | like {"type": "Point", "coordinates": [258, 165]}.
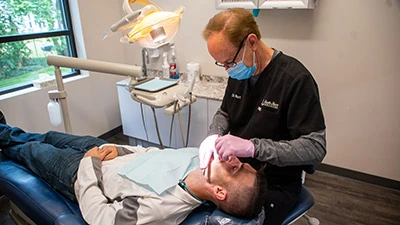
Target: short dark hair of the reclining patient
{"type": "Point", "coordinates": [245, 201]}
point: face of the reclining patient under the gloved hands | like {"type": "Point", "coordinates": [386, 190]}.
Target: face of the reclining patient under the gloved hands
{"type": "Point", "coordinates": [231, 171]}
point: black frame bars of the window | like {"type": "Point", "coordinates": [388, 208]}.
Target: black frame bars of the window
{"type": "Point", "coordinates": [68, 32]}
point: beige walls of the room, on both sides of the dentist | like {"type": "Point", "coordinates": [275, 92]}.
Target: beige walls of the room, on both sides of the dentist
{"type": "Point", "coordinates": [351, 47]}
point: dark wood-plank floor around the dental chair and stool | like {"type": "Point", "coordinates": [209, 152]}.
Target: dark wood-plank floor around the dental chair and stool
{"type": "Point", "coordinates": [338, 200]}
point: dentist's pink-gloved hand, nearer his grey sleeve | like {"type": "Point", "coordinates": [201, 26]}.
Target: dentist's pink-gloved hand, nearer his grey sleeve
{"type": "Point", "coordinates": [229, 145]}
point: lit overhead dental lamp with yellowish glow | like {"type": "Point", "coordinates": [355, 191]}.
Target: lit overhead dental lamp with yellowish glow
{"type": "Point", "coordinates": [149, 27]}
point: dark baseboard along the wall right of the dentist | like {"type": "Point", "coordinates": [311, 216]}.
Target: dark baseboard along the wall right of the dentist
{"type": "Point", "coordinates": [372, 179]}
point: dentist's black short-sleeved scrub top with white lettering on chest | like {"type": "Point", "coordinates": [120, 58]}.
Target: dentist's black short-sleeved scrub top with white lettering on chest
{"type": "Point", "coordinates": [282, 104]}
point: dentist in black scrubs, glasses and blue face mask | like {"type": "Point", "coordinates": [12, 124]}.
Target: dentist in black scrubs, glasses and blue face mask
{"type": "Point", "coordinates": [271, 113]}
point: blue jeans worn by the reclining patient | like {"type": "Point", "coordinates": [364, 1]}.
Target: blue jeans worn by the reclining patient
{"type": "Point", "coordinates": [53, 156]}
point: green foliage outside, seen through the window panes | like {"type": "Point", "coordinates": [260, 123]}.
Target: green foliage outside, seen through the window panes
{"type": "Point", "coordinates": [21, 56]}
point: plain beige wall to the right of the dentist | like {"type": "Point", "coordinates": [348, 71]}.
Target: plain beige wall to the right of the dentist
{"type": "Point", "coordinates": [353, 50]}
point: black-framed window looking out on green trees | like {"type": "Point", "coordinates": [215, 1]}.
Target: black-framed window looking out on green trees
{"type": "Point", "coordinates": [29, 31]}
